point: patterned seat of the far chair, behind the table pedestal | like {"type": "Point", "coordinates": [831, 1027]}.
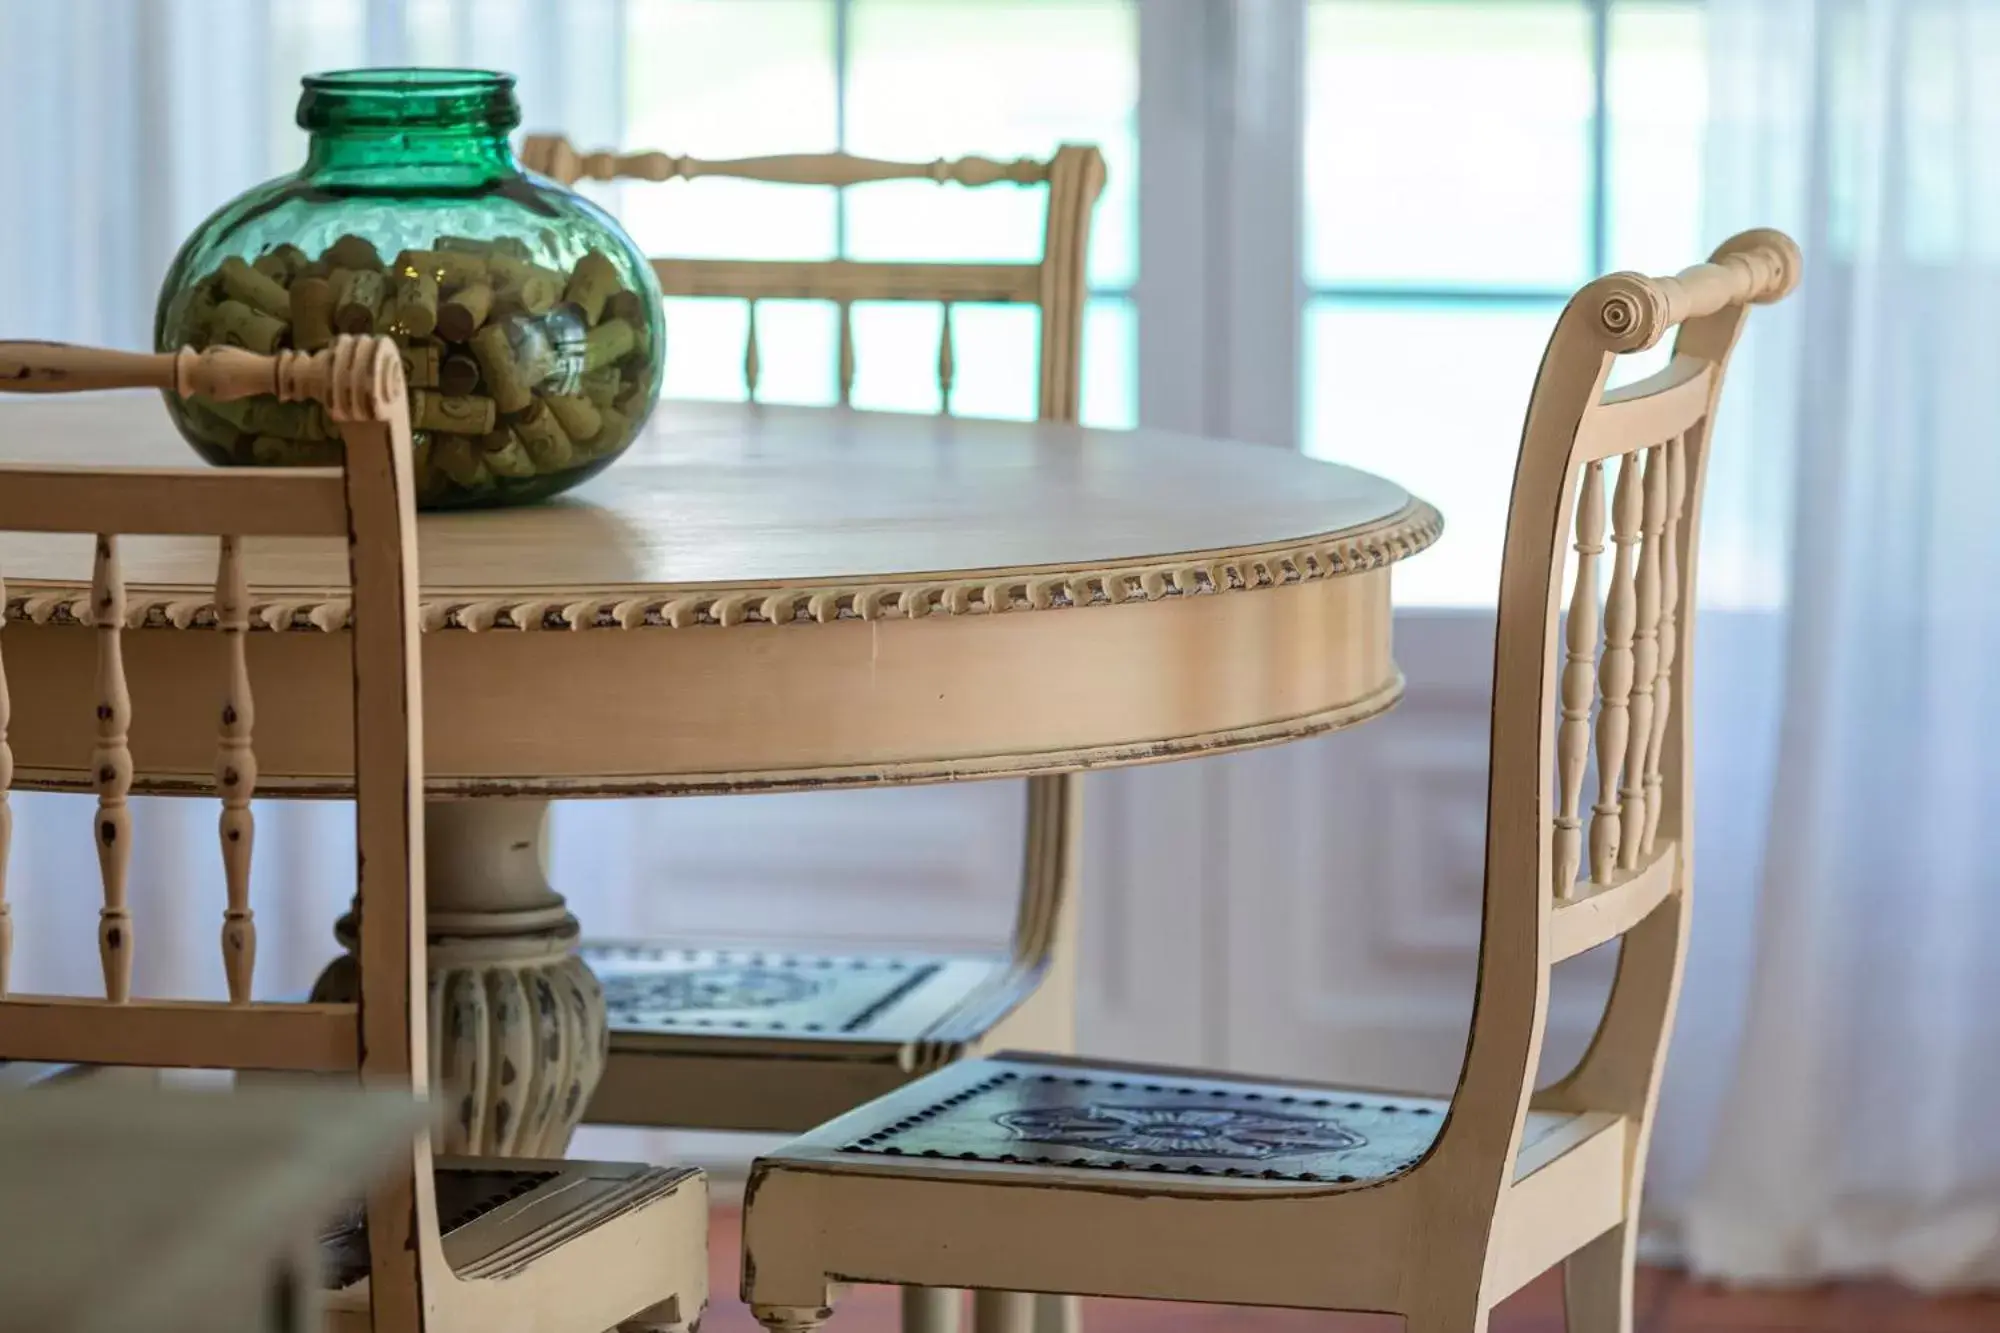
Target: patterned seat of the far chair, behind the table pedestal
{"type": "Point", "coordinates": [667, 992]}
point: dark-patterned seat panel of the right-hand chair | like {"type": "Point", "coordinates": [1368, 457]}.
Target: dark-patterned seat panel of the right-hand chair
{"type": "Point", "coordinates": [1139, 1124]}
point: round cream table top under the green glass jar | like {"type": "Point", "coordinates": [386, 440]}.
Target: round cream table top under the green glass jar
{"type": "Point", "coordinates": [725, 497]}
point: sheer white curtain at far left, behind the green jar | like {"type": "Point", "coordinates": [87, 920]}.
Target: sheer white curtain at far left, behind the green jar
{"type": "Point", "coordinates": [129, 121]}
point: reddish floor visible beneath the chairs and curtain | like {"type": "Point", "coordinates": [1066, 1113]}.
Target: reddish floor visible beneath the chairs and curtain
{"type": "Point", "coordinates": [1667, 1304]}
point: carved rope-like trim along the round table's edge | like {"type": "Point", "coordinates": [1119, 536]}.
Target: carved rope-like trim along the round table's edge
{"type": "Point", "coordinates": [1241, 569]}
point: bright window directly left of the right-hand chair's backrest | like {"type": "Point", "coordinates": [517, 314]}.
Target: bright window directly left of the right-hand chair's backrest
{"type": "Point", "coordinates": [1471, 163]}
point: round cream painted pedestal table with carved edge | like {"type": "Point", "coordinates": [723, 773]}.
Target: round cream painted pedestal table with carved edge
{"type": "Point", "coordinates": [753, 599]}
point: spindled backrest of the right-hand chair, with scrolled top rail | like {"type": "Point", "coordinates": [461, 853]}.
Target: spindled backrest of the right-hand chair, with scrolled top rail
{"type": "Point", "coordinates": [1599, 680]}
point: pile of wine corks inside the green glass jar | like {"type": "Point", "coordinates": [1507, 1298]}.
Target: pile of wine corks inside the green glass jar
{"type": "Point", "coordinates": [517, 371]}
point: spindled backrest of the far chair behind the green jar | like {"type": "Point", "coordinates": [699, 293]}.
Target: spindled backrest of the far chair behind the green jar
{"type": "Point", "coordinates": [1075, 179]}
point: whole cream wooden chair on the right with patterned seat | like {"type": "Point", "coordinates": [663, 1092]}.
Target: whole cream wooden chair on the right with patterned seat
{"type": "Point", "coordinates": [1047, 1174]}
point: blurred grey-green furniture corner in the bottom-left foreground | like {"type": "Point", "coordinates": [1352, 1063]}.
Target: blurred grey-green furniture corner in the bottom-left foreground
{"type": "Point", "coordinates": [175, 1210]}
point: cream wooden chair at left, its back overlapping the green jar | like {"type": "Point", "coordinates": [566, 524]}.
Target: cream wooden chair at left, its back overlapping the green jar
{"type": "Point", "coordinates": [453, 1244]}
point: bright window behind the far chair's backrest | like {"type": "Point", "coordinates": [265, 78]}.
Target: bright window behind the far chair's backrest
{"type": "Point", "coordinates": [995, 77]}
